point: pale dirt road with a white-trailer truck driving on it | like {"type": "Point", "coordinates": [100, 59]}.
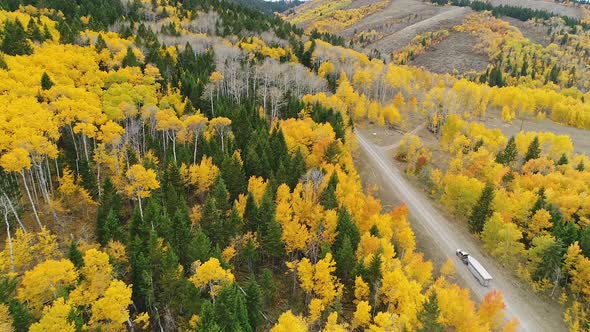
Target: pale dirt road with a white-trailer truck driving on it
{"type": "Point", "coordinates": [533, 313]}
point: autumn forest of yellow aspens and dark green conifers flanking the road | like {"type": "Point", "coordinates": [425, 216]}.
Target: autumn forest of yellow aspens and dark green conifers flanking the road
{"type": "Point", "coordinates": [189, 165]}
